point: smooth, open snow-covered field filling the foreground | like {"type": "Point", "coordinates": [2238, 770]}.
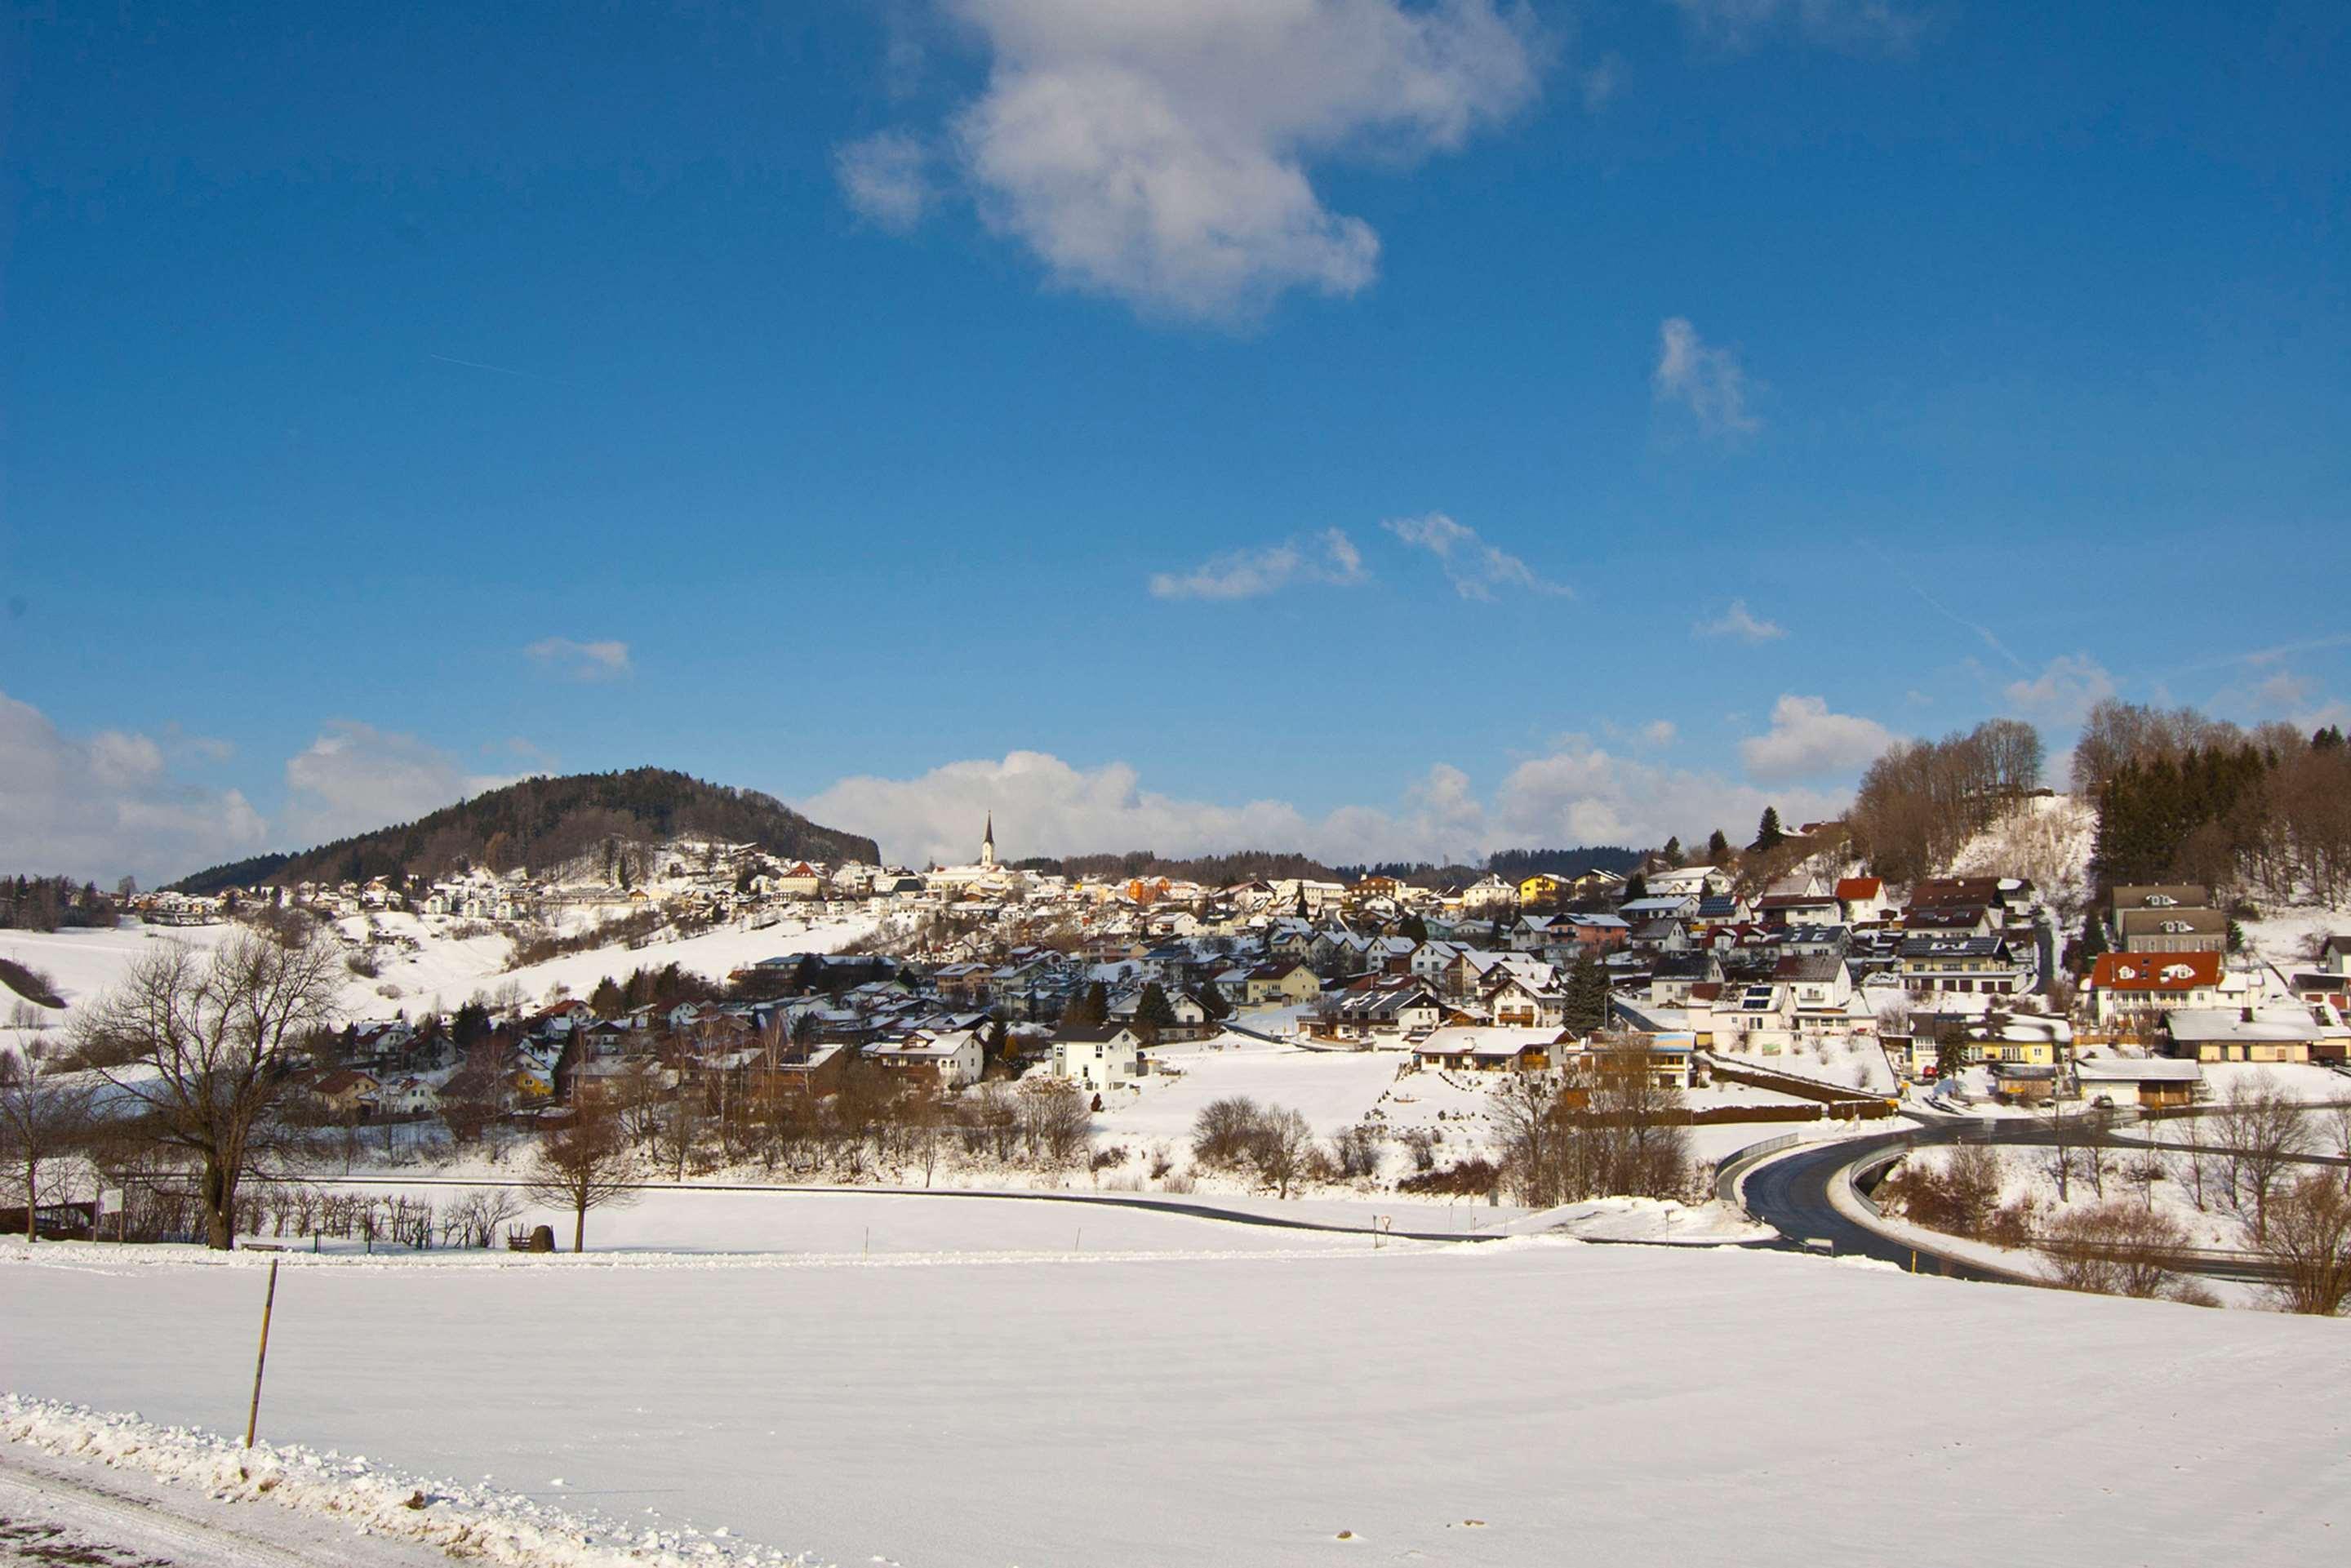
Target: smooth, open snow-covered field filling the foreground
{"type": "Point", "coordinates": [1522, 1402]}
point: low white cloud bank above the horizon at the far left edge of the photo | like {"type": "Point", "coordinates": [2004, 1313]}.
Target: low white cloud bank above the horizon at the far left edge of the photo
{"type": "Point", "coordinates": [109, 808]}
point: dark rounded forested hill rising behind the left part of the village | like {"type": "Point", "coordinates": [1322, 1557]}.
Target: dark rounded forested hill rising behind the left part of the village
{"type": "Point", "coordinates": [547, 822]}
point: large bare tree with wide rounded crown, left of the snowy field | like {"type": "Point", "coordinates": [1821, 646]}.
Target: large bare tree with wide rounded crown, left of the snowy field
{"type": "Point", "coordinates": [208, 1043]}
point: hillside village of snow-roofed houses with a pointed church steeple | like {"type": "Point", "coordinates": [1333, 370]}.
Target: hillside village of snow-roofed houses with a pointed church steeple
{"type": "Point", "coordinates": [1835, 991]}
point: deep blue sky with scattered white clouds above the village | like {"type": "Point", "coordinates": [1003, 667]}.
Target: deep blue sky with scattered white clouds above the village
{"type": "Point", "coordinates": [1360, 424]}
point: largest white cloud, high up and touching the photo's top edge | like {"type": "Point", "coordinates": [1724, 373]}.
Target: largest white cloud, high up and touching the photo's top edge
{"type": "Point", "coordinates": [1160, 152]}
